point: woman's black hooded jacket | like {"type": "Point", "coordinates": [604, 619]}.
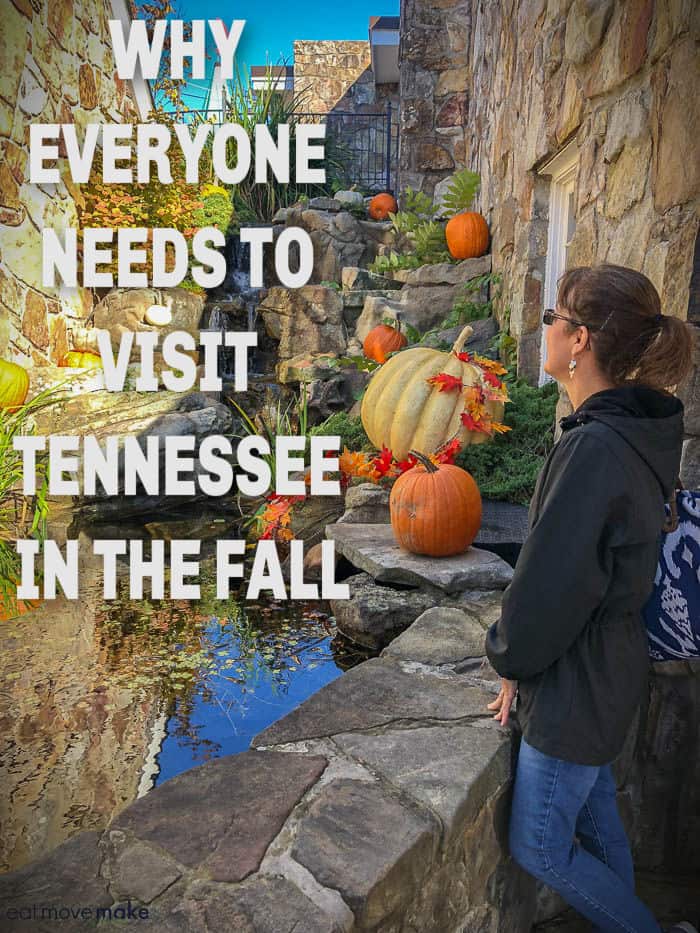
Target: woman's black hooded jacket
{"type": "Point", "coordinates": [571, 631]}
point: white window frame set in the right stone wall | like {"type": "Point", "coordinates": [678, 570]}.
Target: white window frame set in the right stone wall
{"type": "Point", "coordinates": [563, 172]}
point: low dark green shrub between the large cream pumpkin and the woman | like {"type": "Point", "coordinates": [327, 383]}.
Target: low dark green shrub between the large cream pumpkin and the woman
{"type": "Point", "coordinates": [507, 469]}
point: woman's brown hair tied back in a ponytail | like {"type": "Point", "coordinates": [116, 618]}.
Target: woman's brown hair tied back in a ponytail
{"type": "Point", "coordinates": [631, 341]}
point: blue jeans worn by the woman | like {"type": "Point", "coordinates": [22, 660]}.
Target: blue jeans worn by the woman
{"type": "Point", "coordinates": [555, 800]}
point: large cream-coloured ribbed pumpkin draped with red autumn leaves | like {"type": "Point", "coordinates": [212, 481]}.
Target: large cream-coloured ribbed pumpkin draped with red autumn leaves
{"type": "Point", "coordinates": [402, 410]}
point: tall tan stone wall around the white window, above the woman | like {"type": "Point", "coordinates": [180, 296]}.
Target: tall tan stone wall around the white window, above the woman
{"type": "Point", "coordinates": [501, 88]}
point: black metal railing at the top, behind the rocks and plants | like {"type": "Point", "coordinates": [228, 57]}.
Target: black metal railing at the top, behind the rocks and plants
{"type": "Point", "coordinates": [367, 143]}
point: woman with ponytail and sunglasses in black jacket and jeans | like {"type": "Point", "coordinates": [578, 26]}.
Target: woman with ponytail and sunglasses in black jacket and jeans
{"type": "Point", "coordinates": [571, 640]}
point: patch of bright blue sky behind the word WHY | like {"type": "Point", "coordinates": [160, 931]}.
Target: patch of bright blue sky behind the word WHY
{"type": "Point", "coordinates": [273, 25]}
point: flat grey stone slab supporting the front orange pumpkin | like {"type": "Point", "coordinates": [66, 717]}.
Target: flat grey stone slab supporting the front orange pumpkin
{"type": "Point", "coordinates": [373, 548]}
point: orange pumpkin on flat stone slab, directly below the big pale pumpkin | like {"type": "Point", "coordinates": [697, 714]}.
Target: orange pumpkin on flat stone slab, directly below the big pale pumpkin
{"type": "Point", "coordinates": [435, 509]}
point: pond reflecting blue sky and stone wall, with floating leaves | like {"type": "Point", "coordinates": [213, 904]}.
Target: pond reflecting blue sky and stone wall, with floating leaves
{"type": "Point", "coordinates": [102, 700]}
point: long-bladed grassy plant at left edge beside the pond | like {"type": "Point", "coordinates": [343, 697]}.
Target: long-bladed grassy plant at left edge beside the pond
{"type": "Point", "coordinates": [21, 516]}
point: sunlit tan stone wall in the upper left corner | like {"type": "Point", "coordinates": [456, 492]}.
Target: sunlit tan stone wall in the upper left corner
{"type": "Point", "coordinates": [58, 67]}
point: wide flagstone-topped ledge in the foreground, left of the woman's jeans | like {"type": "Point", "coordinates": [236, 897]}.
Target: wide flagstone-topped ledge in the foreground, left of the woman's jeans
{"type": "Point", "coordinates": [379, 825]}
